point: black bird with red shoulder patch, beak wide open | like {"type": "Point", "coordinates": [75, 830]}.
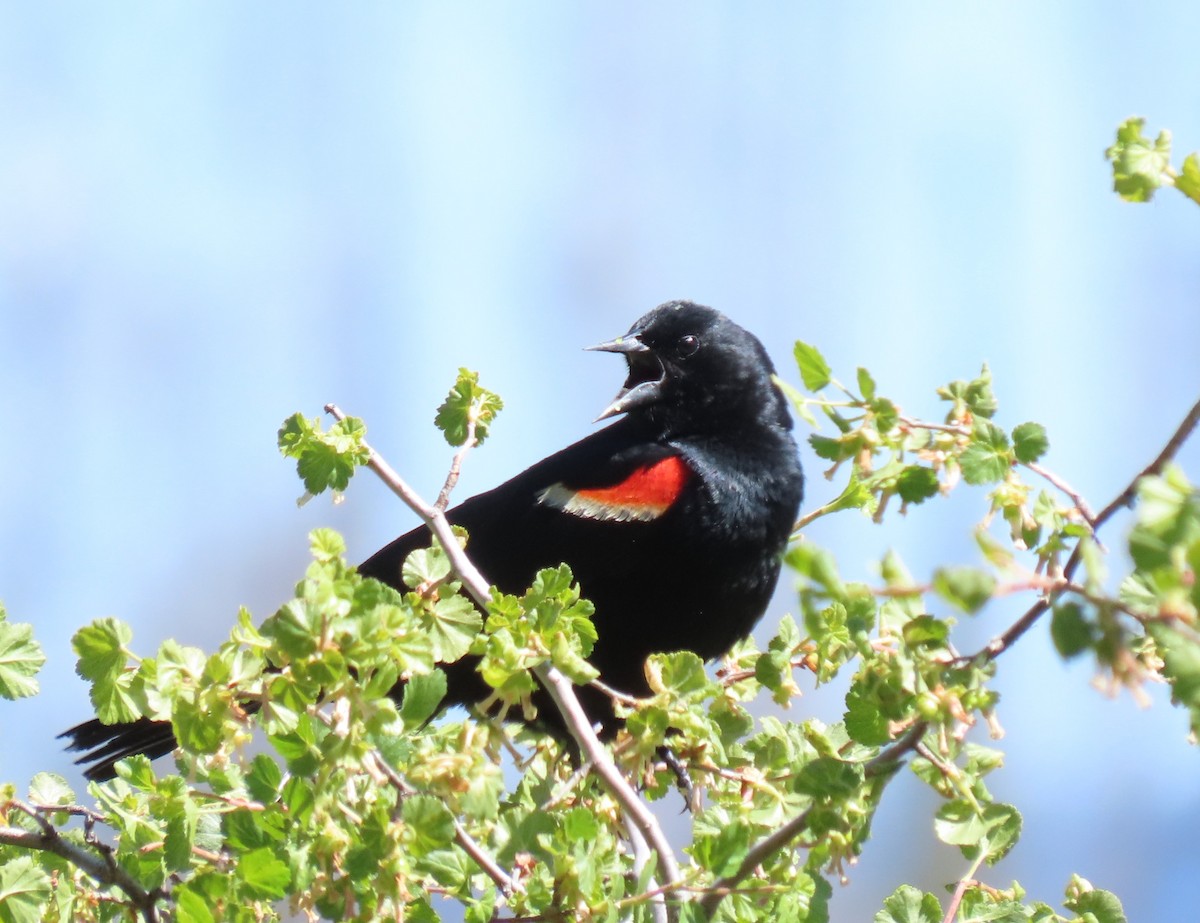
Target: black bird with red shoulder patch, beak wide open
{"type": "Point", "coordinates": [674, 519]}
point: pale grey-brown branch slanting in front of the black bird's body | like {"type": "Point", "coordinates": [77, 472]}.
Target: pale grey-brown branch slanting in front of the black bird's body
{"type": "Point", "coordinates": [643, 822]}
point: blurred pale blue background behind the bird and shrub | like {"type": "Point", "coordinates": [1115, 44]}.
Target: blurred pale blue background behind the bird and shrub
{"type": "Point", "coordinates": [214, 215]}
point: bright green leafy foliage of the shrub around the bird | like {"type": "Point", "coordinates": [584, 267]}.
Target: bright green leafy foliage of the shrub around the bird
{"type": "Point", "coordinates": [353, 806]}
